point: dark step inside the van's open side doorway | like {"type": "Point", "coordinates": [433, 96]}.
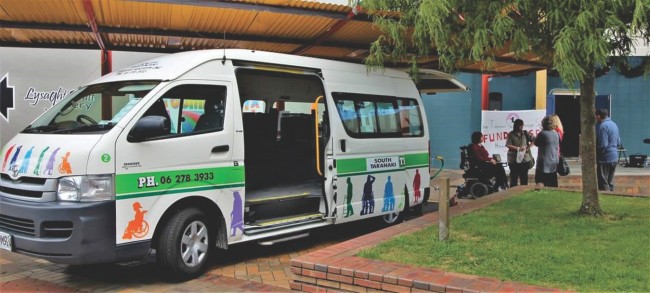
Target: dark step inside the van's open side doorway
{"type": "Point", "coordinates": [286, 206]}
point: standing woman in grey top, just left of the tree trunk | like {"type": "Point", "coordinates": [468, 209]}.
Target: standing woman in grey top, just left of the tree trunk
{"type": "Point", "coordinates": [548, 142]}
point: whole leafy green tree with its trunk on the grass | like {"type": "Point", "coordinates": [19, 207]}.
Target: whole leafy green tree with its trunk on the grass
{"type": "Point", "coordinates": [573, 36]}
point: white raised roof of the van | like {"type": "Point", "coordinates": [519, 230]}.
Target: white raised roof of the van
{"type": "Point", "coordinates": [172, 66]}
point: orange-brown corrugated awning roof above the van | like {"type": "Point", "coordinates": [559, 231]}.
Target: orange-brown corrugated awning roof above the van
{"type": "Point", "coordinates": [306, 28]}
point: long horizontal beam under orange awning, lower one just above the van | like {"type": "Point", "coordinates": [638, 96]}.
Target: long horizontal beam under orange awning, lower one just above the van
{"type": "Point", "coordinates": [174, 33]}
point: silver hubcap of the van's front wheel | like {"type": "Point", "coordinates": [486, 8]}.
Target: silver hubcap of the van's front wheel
{"type": "Point", "coordinates": [194, 244]}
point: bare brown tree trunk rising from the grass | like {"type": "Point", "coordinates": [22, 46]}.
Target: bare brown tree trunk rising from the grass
{"type": "Point", "coordinates": [590, 204]}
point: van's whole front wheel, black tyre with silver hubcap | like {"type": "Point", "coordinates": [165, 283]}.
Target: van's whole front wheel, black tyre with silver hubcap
{"type": "Point", "coordinates": [184, 245]}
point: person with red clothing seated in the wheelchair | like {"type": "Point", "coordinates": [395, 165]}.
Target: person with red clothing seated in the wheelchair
{"type": "Point", "coordinates": [489, 167]}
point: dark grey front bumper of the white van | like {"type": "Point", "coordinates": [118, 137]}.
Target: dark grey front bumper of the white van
{"type": "Point", "coordinates": [66, 232]}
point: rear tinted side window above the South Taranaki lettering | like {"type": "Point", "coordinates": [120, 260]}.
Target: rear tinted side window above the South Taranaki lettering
{"type": "Point", "coordinates": [366, 116]}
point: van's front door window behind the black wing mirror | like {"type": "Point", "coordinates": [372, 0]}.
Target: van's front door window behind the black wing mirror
{"type": "Point", "coordinates": [192, 108]}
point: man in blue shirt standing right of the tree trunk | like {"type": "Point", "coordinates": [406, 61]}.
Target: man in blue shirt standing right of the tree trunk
{"type": "Point", "coordinates": [607, 139]}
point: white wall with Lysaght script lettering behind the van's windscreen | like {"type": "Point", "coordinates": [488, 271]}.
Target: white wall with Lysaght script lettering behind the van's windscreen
{"type": "Point", "coordinates": [39, 78]}
